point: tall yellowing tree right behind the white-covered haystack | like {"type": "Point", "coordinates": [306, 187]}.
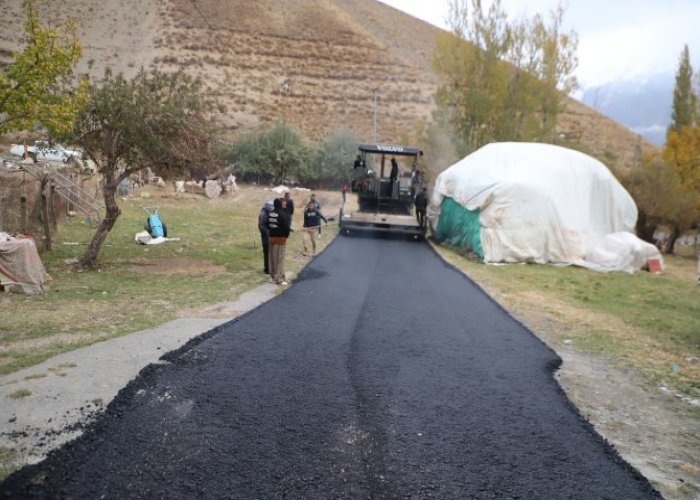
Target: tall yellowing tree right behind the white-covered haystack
{"type": "Point", "coordinates": [502, 80]}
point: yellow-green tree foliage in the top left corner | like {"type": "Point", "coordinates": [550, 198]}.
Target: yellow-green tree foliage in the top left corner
{"type": "Point", "coordinates": [37, 87]}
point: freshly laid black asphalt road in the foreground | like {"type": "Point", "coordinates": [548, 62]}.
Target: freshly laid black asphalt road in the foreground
{"type": "Point", "coordinates": [381, 373]}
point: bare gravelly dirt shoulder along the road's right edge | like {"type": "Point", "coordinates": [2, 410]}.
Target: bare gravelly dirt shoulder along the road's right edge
{"type": "Point", "coordinates": [655, 430]}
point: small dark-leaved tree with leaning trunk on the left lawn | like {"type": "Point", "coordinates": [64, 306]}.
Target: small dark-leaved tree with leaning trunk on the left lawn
{"type": "Point", "coordinates": [156, 120]}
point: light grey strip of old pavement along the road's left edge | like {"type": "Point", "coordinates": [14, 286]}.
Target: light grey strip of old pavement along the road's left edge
{"type": "Point", "coordinates": [69, 390]}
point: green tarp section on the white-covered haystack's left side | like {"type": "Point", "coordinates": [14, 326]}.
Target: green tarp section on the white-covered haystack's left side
{"type": "Point", "coordinates": [459, 227]}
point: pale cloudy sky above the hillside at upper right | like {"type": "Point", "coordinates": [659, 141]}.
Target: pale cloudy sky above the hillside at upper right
{"type": "Point", "coordinates": [618, 39]}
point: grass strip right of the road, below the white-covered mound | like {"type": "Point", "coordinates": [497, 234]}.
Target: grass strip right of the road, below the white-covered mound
{"type": "Point", "coordinates": [651, 322]}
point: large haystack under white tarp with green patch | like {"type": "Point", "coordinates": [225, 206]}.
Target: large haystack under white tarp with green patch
{"type": "Point", "coordinates": [531, 202]}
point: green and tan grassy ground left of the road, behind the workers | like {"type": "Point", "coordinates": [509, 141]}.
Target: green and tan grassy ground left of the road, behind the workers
{"type": "Point", "coordinates": [136, 287]}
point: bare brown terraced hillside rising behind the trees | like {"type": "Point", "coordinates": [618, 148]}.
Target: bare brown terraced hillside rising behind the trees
{"type": "Point", "coordinates": [313, 63]}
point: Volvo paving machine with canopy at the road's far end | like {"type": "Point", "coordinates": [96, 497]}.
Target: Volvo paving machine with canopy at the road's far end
{"type": "Point", "coordinates": [385, 197]}
